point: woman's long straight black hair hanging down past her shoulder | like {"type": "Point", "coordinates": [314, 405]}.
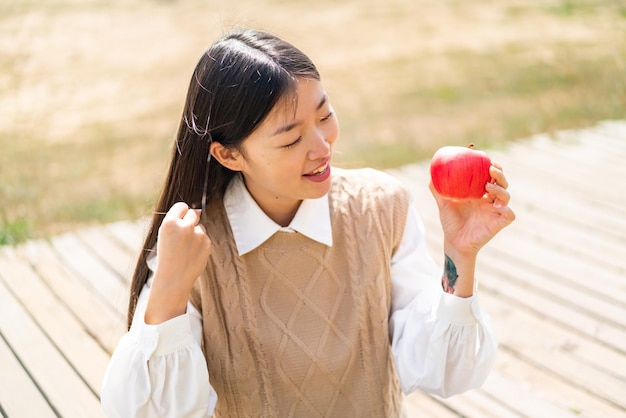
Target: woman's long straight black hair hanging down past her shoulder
{"type": "Point", "coordinates": [235, 85]}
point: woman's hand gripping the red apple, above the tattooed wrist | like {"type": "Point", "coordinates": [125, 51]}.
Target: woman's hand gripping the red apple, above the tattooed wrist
{"type": "Point", "coordinates": [469, 224]}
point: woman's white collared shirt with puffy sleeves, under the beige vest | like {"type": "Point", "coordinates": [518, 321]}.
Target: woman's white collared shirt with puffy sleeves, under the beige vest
{"type": "Point", "coordinates": [442, 344]}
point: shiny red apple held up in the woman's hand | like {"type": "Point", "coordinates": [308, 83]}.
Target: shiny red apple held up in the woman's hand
{"type": "Point", "coordinates": [460, 172]}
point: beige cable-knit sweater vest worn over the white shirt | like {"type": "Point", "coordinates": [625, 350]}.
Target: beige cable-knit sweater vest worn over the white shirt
{"type": "Point", "coordinates": [296, 328]}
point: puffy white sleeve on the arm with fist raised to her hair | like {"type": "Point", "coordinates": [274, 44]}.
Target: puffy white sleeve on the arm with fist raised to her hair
{"type": "Point", "coordinates": [159, 370]}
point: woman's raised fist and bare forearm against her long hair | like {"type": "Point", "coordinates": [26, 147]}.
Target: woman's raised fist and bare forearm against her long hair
{"type": "Point", "coordinates": [183, 249]}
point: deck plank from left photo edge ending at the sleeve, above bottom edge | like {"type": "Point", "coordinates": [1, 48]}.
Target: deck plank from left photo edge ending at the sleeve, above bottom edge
{"type": "Point", "coordinates": [84, 353]}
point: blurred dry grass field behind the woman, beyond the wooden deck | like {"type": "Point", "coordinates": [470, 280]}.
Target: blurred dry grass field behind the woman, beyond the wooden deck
{"type": "Point", "coordinates": [91, 91]}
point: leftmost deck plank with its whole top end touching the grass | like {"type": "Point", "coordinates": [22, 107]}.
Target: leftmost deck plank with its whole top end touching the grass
{"type": "Point", "coordinates": [103, 322]}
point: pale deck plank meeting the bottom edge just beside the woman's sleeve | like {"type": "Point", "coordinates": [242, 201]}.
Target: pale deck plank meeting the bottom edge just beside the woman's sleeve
{"type": "Point", "coordinates": [58, 381]}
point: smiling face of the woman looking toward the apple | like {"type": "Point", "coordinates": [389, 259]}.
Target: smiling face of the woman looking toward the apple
{"type": "Point", "coordinates": [287, 158]}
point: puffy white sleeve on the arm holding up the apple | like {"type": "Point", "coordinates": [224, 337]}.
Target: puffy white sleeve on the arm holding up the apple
{"type": "Point", "coordinates": [442, 344]}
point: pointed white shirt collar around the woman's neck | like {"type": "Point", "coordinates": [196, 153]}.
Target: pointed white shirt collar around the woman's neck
{"type": "Point", "coordinates": [252, 227]}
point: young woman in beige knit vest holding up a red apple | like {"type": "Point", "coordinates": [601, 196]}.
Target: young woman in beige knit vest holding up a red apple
{"type": "Point", "coordinates": [274, 285]}
